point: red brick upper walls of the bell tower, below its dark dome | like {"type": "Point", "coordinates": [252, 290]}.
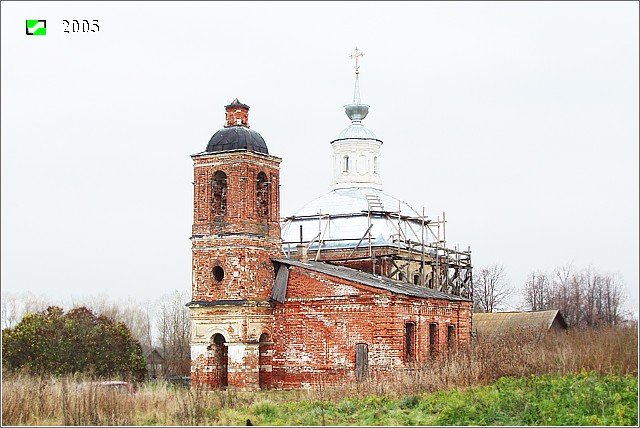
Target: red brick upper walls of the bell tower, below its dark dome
{"type": "Point", "coordinates": [240, 242]}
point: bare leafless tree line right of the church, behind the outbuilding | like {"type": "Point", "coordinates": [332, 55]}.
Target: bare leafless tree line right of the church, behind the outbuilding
{"type": "Point", "coordinates": [584, 297]}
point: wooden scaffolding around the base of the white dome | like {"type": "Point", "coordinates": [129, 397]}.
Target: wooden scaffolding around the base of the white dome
{"type": "Point", "coordinates": [416, 252]}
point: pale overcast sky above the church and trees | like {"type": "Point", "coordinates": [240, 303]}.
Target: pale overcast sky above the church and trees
{"type": "Point", "coordinates": [519, 120]}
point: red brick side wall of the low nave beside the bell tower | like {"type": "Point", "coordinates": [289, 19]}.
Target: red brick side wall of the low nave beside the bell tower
{"type": "Point", "coordinates": [316, 330]}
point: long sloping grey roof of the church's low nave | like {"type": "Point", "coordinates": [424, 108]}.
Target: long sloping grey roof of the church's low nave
{"type": "Point", "coordinates": [364, 278]}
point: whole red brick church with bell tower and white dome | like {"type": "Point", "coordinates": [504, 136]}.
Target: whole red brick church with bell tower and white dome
{"type": "Point", "coordinates": [359, 295]}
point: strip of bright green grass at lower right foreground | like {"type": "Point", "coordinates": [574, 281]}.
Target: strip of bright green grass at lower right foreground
{"type": "Point", "coordinates": [582, 399]}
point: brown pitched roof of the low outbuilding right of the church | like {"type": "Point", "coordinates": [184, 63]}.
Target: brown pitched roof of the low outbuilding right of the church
{"type": "Point", "coordinates": [499, 322]}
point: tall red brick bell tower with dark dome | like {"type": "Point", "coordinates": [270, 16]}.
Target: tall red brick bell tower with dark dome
{"type": "Point", "coordinates": [235, 233]}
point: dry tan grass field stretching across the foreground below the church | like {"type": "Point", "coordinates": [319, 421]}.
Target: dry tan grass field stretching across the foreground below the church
{"type": "Point", "coordinates": [32, 400]}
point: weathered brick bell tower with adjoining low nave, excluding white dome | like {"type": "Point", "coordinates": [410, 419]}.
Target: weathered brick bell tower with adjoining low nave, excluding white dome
{"type": "Point", "coordinates": [310, 324]}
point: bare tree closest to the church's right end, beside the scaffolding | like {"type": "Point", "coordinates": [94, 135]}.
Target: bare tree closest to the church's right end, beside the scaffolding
{"type": "Point", "coordinates": [490, 288]}
